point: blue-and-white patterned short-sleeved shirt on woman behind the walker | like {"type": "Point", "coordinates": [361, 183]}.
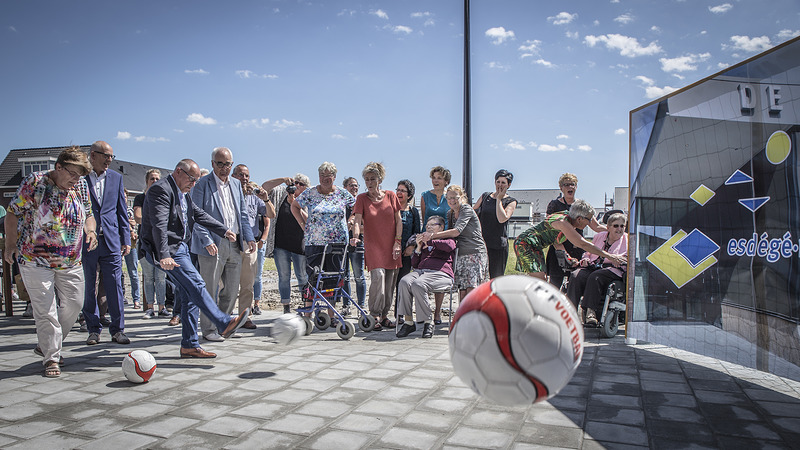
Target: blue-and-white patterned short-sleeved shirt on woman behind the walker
{"type": "Point", "coordinates": [327, 215]}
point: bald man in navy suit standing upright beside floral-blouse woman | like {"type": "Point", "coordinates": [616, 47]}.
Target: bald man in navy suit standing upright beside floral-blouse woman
{"type": "Point", "coordinates": [110, 210]}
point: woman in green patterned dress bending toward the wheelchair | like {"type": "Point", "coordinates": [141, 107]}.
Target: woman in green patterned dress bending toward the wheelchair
{"type": "Point", "coordinates": [558, 228]}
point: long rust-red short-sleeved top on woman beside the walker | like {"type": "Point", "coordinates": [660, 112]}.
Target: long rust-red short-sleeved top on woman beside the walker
{"type": "Point", "coordinates": [379, 230]}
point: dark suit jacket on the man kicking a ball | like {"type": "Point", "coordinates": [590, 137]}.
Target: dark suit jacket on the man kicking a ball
{"type": "Point", "coordinates": [163, 227]}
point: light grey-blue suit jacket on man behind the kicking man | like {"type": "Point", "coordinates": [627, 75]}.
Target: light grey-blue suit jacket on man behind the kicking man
{"type": "Point", "coordinates": [206, 196]}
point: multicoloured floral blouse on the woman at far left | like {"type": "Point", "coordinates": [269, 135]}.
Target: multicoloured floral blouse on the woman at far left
{"type": "Point", "coordinates": [51, 221]}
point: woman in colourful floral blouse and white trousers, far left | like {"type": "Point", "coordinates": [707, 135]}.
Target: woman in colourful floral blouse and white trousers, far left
{"type": "Point", "coordinates": [49, 220]}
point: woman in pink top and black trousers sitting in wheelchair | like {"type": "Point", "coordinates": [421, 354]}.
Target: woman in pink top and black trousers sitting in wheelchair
{"type": "Point", "coordinates": [596, 273]}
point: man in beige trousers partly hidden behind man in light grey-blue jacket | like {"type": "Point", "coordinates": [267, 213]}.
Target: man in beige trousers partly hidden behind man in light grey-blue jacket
{"type": "Point", "coordinates": [259, 211]}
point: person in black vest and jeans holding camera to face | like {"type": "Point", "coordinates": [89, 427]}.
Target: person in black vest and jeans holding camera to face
{"type": "Point", "coordinates": [285, 238]}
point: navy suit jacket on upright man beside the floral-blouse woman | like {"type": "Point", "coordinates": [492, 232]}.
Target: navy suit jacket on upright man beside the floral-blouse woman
{"type": "Point", "coordinates": [112, 217]}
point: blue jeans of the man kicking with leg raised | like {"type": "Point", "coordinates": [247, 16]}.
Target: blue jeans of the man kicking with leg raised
{"type": "Point", "coordinates": [190, 291]}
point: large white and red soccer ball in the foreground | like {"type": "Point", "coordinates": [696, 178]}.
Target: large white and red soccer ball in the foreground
{"type": "Point", "coordinates": [516, 340]}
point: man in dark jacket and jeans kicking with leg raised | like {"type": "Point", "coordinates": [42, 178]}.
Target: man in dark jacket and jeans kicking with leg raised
{"type": "Point", "coordinates": [167, 215]}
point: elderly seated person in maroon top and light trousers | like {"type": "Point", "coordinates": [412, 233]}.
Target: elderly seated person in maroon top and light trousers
{"type": "Point", "coordinates": [432, 262]}
